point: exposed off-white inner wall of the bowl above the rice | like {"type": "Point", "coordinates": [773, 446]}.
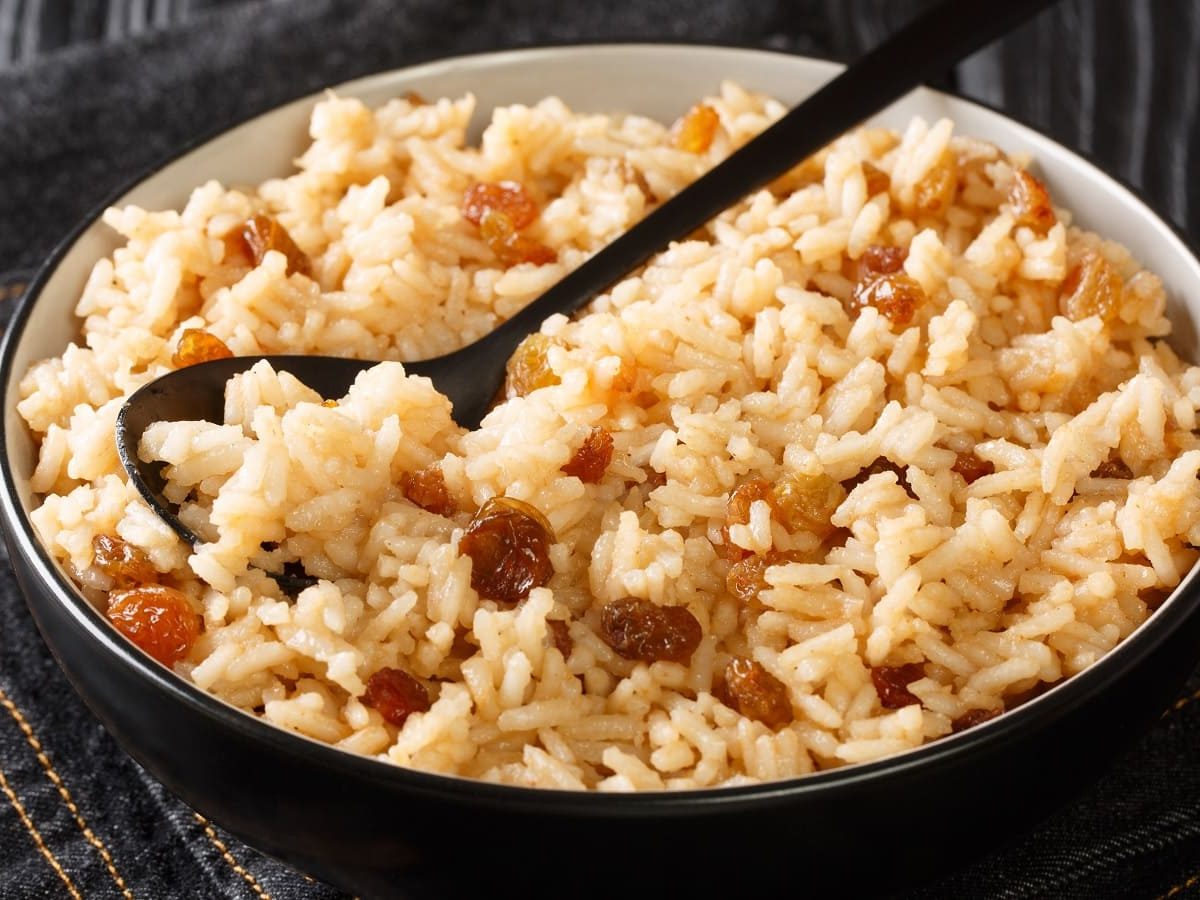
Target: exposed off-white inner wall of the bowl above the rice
{"type": "Point", "coordinates": [658, 81]}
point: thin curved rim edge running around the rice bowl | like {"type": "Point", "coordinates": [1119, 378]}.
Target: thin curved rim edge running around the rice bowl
{"type": "Point", "coordinates": [1184, 603]}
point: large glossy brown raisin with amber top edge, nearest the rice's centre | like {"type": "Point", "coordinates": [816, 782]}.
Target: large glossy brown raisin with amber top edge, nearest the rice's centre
{"type": "Point", "coordinates": [509, 545]}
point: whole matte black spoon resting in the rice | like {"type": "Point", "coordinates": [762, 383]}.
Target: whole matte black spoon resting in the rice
{"type": "Point", "coordinates": [470, 377]}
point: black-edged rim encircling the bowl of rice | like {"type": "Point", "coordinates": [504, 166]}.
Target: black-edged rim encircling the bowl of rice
{"type": "Point", "coordinates": [1033, 716]}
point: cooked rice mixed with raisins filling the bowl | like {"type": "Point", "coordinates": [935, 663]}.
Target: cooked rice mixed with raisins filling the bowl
{"type": "Point", "coordinates": [831, 481]}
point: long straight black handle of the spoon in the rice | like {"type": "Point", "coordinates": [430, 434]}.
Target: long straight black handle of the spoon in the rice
{"type": "Point", "coordinates": [925, 49]}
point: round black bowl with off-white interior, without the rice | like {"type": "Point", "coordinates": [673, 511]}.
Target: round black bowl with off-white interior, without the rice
{"type": "Point", "coordinates": [379, 830]}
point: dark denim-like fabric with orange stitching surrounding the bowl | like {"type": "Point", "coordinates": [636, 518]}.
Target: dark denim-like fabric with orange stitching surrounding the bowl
{"type": "Point", "coordinates": [93, 92]}
